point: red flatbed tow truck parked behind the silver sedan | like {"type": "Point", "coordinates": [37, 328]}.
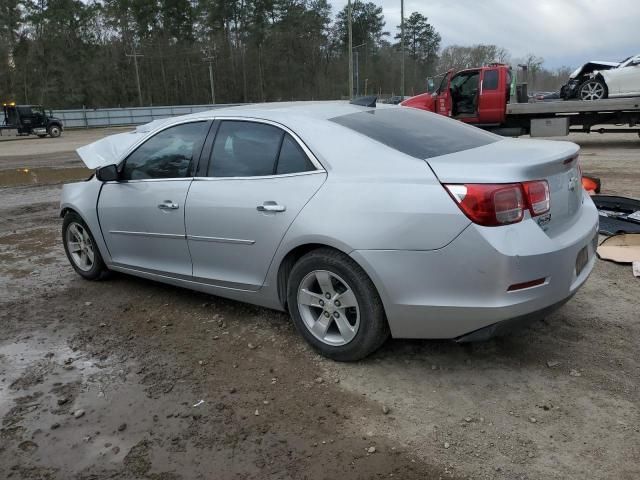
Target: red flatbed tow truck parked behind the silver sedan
{"type": "Point", "coordinates": [482, 97]}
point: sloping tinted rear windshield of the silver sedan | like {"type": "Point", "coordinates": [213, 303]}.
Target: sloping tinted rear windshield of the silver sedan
{"type": "Point", "coordinates": [415, 132]}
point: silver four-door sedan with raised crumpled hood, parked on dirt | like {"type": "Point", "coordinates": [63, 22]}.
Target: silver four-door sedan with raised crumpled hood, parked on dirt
{"type": "Point", "coordinates": [361, 222]}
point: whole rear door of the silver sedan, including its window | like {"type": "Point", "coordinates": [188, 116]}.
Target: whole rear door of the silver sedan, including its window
{"type": "Point", "coordinates": [258, 178]}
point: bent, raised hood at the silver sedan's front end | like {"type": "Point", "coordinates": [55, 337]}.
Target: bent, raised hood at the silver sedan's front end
{"type": "Point", "coordinates": [111, 149]}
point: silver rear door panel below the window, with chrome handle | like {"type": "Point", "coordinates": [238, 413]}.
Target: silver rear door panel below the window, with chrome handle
{"type": "Point", "coordinates": [232, 242]}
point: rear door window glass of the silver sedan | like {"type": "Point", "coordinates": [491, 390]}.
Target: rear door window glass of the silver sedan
{"type": "Point", "coordinates": [251, 149]}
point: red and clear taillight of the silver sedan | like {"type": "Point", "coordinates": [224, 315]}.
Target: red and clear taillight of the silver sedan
{"type": "Point", "coordinates": [493, 205]}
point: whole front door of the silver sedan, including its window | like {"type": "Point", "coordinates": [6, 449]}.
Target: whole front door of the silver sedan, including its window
{"type": "Point", "coordinates": [142, 214]}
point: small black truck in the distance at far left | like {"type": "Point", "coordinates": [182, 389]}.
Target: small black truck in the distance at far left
{"type": "Point", "coordinates": [30, 120]}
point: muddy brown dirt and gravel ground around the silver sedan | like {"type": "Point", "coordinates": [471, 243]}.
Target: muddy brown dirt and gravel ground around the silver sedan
{"type": "Point", "coordinates": [127, 378]}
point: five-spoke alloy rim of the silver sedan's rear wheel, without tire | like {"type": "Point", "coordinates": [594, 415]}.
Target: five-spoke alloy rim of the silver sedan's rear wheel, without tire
{"type": "Point", "coordinates": [328, 307]}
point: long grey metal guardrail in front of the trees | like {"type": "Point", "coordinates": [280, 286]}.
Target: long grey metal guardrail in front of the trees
{"type": "Point", "coordinates": [118, 117]}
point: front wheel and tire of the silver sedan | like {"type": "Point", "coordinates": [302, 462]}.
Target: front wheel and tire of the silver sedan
{"type": "Point", "coordinates": [81, 248]}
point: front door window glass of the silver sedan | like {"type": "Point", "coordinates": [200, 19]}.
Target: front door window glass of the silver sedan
{"type": "Point", "coordinates": [167, 154]}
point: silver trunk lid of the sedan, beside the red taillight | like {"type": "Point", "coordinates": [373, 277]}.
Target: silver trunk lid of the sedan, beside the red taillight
{"type": "Point", "coordinates": [515, 160]}
